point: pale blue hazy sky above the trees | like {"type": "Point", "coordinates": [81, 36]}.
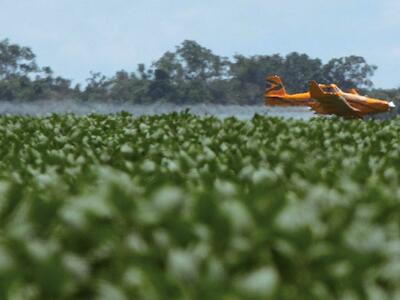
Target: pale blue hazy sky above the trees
{"type": "Point", "coordinates": [75, 37]}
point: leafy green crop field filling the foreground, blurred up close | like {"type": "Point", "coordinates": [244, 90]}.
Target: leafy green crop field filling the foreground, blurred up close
{"type": "Point", "coordinates": [185, 207]}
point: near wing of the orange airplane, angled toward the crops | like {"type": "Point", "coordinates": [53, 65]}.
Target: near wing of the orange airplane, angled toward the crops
{"type": "Point", "coordinates": [330, 103]}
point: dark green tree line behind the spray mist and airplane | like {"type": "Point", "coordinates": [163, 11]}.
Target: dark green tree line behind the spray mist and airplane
{"type": "Point", "coordinates": [188, 75]}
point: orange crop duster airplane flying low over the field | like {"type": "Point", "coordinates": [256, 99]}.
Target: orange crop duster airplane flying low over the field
{"type": "Point", "coordinates": [326, 99]}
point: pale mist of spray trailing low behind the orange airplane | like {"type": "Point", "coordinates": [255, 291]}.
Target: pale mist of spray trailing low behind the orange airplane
{"type": "Point", "coordinates": [42, 108]}
